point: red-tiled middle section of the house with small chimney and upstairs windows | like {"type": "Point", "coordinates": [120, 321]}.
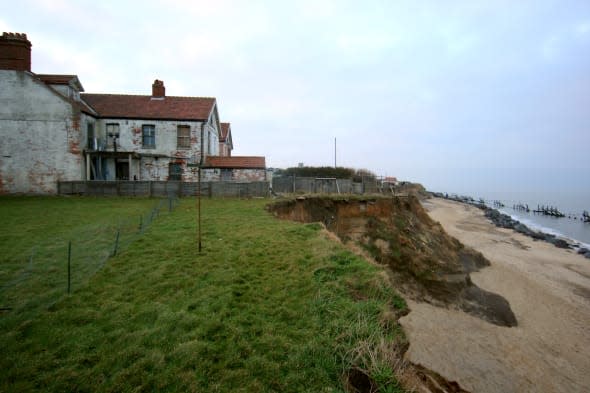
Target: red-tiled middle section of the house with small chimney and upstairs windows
{"type": "Point", "coordinates": [139, 137]}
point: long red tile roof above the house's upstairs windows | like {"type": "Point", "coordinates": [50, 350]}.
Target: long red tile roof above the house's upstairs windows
{"type": "Point", "coordinates": [144, 107]}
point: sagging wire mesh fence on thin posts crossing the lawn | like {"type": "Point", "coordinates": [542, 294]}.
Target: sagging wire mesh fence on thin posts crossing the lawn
{"type": "Point", "coordinates": [61, 265]}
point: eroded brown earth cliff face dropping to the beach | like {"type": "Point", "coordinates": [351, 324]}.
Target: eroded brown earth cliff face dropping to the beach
{"type": "Point", "coordinates": [426, 264]}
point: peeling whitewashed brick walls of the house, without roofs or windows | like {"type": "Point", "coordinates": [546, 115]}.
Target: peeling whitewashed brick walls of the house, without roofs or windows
{"type": "Point", "coordinates": [44, 138]}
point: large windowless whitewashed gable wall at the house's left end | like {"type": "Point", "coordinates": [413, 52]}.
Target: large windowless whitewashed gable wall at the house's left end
{"type": "Point", "coordinates": [40, 135]}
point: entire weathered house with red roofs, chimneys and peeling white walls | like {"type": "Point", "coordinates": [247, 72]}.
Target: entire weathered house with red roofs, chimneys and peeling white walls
{"type": "Point", "coordinates": [52, 130]}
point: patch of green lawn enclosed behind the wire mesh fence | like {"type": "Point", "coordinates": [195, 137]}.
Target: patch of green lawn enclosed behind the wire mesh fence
{"type": "Point", "coordinates": [35, 237]}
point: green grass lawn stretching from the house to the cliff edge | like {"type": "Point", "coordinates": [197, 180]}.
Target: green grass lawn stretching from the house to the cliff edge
{"type": "Point", "coordinates": [268, 305]}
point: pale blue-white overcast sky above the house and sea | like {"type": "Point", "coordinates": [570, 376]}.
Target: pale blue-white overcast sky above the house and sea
{"type": "Point", "coordinates": [459, 95]}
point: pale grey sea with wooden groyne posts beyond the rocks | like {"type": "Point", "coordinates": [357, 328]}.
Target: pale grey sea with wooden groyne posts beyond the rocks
{"type": "Point", "coordinates": [572, 205]}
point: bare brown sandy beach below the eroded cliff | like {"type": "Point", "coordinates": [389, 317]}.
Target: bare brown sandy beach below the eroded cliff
{"type": "Point", "coordinates": [549, 291]}
